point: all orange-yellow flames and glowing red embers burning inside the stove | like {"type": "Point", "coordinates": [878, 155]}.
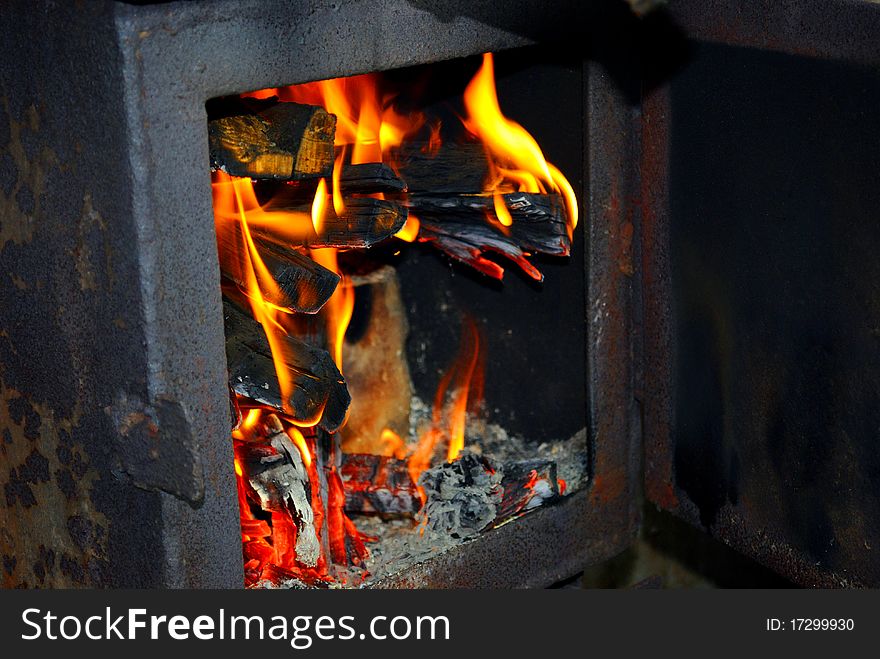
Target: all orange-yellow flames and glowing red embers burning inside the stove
{"type": "Point", "coordinates": [369, 129]}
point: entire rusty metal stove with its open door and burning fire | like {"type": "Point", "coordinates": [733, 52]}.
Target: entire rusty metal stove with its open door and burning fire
{"type": "Point", "coordinates": [394, 293]}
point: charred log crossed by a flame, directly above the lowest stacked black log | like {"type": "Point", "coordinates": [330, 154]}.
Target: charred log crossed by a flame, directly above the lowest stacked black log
{"type": "Point", "coordinates": [303, 286]}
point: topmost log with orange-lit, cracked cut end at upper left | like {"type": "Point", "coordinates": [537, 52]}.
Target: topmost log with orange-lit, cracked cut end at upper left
{"type": "Point", "coordinates": [270, 139]}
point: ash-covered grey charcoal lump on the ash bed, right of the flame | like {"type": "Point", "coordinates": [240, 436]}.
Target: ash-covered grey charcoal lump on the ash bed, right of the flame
{"type": "Point", "coordinates": [462, 496]}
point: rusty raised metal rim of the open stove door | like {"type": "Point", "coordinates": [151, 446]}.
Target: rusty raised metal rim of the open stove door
{"type": "Point", "coordinates": [838, 29]}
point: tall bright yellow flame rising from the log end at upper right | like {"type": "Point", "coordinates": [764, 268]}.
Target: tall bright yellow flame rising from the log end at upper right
{"type": "Point", "coordinates": [517, 163]}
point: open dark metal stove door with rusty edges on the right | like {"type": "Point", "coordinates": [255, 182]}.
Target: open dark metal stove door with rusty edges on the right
{"type": "Point", "coordinates": [759, 278]}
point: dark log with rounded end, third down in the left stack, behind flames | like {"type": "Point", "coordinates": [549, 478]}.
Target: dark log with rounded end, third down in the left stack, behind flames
{"type": "Point", "coordinates": [365, 222]}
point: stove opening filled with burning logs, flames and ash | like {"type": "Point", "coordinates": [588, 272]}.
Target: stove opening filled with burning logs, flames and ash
{"type": "Point", "coordinates": [403, 284]}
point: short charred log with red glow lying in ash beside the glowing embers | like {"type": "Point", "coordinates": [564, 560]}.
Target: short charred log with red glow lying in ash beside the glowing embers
{"type": "Point", "coordinates": [378, 484]}
